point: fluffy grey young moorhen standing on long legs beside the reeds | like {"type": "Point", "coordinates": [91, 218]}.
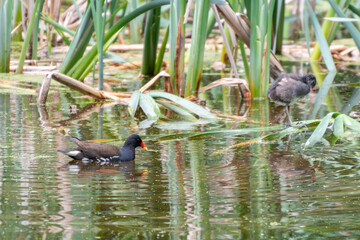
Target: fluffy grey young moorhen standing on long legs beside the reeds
{"type": "Point", "coordinates": [287, 88]}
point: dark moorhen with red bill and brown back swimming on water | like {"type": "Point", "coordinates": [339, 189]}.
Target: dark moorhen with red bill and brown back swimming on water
{"type": "Point", "coordinates": [105, 152]}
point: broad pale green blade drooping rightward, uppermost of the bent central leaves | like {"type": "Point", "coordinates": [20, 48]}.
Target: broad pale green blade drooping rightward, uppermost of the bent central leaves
{"type": "Point", "coordinates": [192, 107]}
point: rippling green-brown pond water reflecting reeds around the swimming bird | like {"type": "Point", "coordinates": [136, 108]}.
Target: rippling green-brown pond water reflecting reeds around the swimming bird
{"type": "Point", "coordinates": [178, 189]}
